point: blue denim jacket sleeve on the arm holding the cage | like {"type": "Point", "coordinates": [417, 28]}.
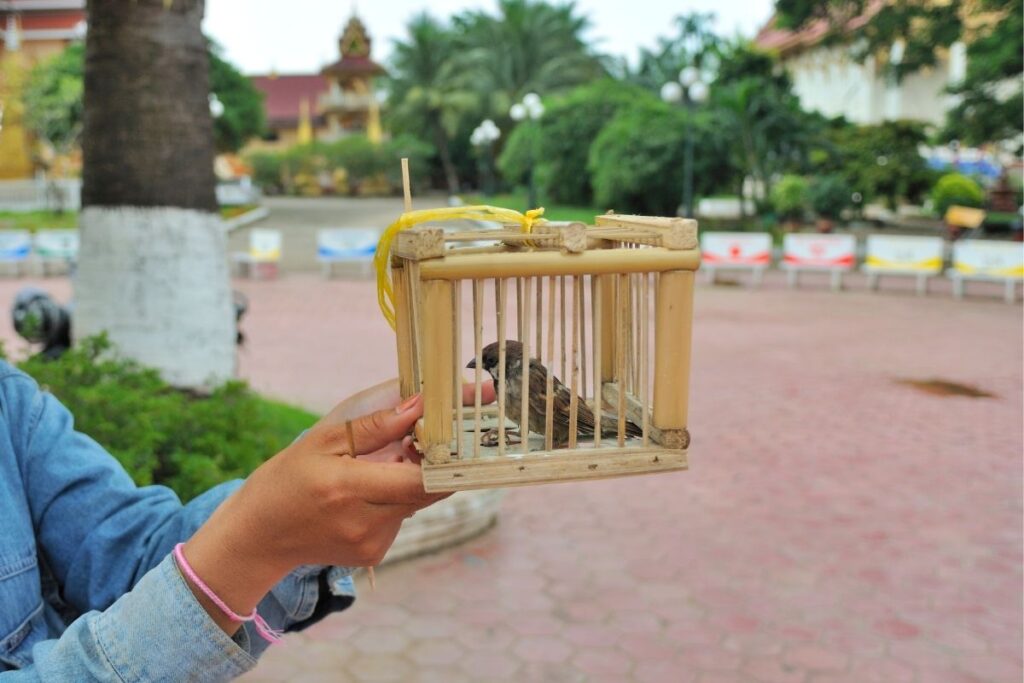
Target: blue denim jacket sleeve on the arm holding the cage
{"type": "Point", "coordinates": [104, 537]}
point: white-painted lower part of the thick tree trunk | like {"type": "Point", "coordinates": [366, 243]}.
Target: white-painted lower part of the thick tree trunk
{"type": "Point", "coordinates": [156, 281]}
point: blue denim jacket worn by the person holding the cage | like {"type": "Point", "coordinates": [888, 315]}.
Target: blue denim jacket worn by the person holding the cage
{"type": "Point", "coordinates": [89, 589]}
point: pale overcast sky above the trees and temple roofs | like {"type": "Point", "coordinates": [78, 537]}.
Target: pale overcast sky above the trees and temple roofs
{"type": "Point", "coordinates": [302, 36]}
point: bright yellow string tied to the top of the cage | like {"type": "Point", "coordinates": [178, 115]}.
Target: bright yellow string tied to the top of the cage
{"type": "Point", "coordinates": [382, 260]}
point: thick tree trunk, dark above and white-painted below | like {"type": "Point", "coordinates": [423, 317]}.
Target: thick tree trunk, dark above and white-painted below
{"type": "Point", "coordinates": [153, 272]}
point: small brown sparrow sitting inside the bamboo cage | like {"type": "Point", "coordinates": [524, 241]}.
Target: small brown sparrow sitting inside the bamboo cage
{"type": "Point", "coordinates": [539, 398]}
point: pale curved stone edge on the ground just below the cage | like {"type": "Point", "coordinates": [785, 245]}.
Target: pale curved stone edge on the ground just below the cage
{"type": "Point", "coordinates": [449, 523]}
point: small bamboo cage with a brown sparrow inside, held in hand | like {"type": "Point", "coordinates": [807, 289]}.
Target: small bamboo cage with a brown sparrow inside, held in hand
{"type": "Point", "coordinates": [606, 314]}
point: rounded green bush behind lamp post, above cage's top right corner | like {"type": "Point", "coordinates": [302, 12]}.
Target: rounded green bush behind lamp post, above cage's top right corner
{"type": "Point", "coordinates": [636, 163]}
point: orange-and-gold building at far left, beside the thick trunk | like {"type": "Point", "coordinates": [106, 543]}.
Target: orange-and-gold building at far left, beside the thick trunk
{"type": "Point", "coordinates": [30, 32]}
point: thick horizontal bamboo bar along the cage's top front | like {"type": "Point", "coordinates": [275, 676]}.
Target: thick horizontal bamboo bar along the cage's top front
{"type": "Point", "coordinates": [603, 262]}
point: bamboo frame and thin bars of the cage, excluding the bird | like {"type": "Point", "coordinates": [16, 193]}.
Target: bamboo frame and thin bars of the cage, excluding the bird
{"type": "Point", "coordinates": [429, 266]}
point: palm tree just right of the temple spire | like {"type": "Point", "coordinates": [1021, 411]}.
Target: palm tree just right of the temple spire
{"type": "Point", "coordinates": [424, 90]}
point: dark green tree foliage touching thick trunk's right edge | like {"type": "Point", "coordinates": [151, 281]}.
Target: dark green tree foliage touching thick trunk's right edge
{"type": "Point", "coordinates": [243, 118]}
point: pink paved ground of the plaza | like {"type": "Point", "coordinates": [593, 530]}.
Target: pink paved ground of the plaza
{"type": "Point", "coordinates": [835, 526]}
